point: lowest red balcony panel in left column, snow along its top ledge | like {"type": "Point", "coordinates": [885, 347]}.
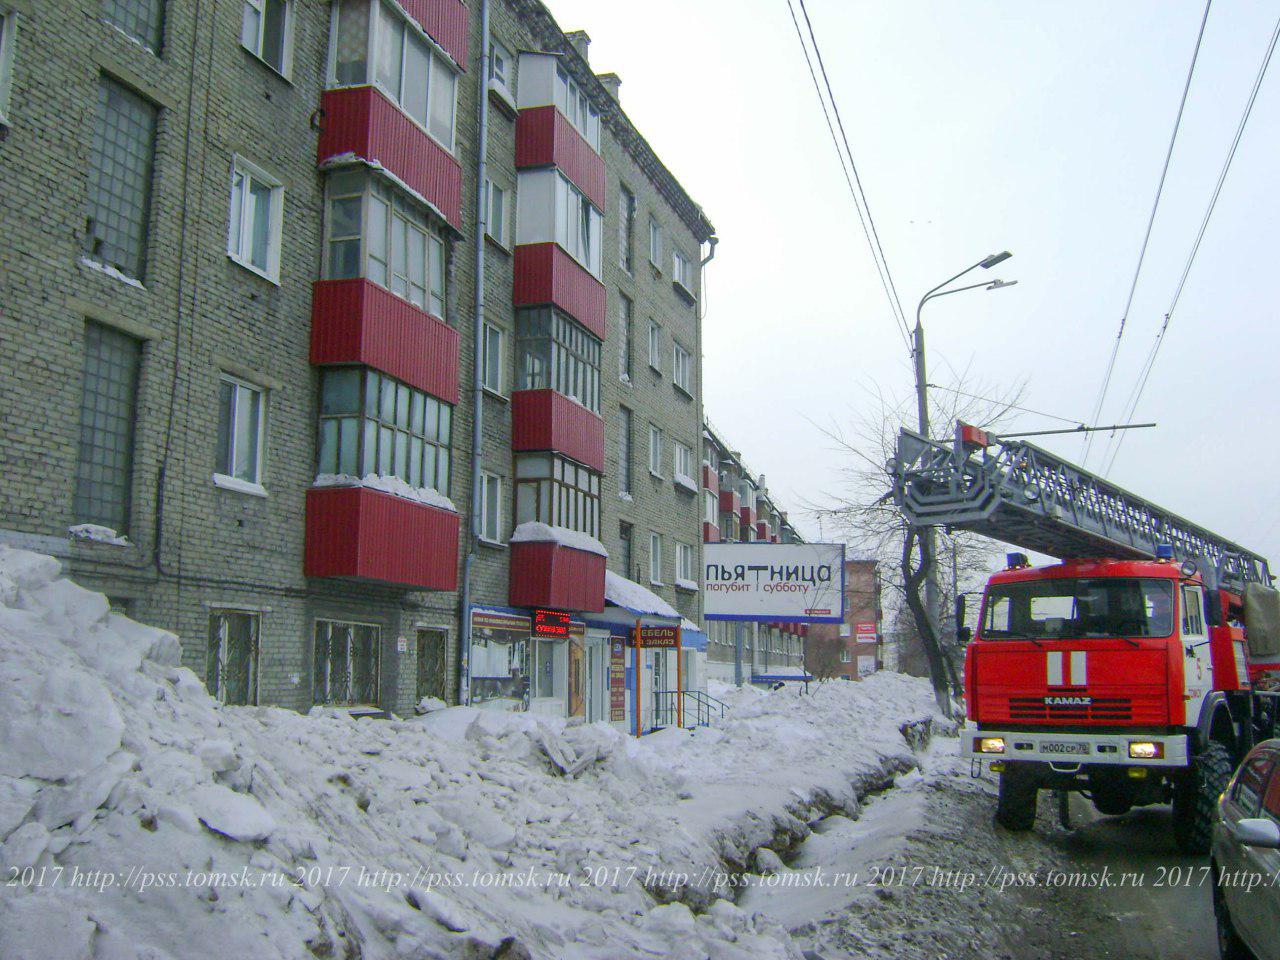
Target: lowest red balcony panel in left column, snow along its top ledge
{"type": "Point", "coordinates": [364, 534]}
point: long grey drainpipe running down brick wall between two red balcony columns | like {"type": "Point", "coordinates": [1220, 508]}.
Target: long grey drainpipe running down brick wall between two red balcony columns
{"type": "Point", "coordinates": [478, 391]}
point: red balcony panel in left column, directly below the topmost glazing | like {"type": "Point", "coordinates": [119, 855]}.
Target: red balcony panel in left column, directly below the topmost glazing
{"type": "Point", "coordinates": [363, 124]}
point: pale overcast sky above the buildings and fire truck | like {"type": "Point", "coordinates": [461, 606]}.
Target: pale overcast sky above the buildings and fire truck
{"type": "Point", "coordinates": [1036, 127]}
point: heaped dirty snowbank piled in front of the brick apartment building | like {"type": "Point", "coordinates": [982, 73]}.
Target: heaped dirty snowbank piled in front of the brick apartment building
{"type": "Point", "coordinates": [140, 820]}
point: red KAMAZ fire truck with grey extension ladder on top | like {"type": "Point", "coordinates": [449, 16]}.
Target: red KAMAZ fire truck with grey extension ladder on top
{"type": "Point", "coordinates": [1137, 671]}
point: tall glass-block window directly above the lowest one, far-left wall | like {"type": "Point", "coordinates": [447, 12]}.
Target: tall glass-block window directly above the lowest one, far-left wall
{"type": "Point", "coordinates": [120, 181]}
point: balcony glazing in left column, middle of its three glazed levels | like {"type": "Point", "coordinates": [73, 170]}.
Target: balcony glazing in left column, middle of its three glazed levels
{"type": "Point", "coordinates": [378, 234]}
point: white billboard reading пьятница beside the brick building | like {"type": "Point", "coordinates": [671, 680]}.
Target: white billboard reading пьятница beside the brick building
{"type": "Point", "coordinates": [770, 582]}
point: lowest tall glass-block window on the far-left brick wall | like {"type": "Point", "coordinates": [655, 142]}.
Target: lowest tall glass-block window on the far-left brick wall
{"type": "Point", "coordinates": [104, 474]}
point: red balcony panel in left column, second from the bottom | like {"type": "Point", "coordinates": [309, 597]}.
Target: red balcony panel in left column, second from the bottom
{"type": "Point", "coordinates": [358, 322]}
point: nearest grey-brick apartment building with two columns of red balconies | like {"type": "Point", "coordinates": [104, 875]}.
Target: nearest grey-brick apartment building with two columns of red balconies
{"type": "Point", "coordinates": [356, 356]}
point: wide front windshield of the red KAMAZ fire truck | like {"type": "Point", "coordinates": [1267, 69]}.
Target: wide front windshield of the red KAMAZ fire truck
{"type": "Point", "coordinates": [1072, 609]}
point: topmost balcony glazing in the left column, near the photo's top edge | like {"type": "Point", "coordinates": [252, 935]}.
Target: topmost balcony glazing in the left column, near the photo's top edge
{"type": "Point", "coordinates": [374, 45]}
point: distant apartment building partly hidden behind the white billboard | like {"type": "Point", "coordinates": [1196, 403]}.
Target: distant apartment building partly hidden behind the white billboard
{"type": "Point", "coordinates": [739, 509]}
